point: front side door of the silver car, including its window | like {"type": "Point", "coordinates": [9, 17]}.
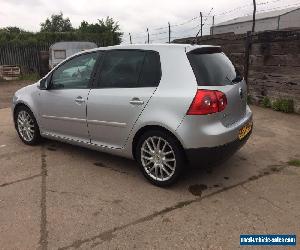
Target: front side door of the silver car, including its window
{"type": "Point", "coordinates": [62, 108]}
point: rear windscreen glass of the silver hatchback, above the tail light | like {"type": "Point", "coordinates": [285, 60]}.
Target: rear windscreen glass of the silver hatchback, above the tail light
{"type": "Point", "coordinates": [213, 68]}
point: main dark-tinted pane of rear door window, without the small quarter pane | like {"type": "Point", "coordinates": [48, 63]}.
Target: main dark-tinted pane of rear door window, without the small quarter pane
{"type": "Point", "coordinates": [121, 68]}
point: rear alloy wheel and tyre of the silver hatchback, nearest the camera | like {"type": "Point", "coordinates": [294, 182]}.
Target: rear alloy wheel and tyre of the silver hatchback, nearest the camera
{"type": "Point", "coordinates": [160, 157]}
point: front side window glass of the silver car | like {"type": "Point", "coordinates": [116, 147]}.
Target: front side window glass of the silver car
{"type": "Point", "coordinates": [75, 73]}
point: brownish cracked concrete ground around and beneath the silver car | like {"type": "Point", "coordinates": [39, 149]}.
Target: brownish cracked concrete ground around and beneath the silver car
{"type": "Point", "coordinates": [58, 196]}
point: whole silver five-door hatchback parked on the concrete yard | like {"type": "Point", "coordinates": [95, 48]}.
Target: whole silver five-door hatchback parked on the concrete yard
{"type": "Point", "coordinates": [164, 105]}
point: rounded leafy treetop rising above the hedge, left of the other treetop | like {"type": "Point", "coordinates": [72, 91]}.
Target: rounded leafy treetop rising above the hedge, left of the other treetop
{"type": "Point", "coordinates": [57, 23]}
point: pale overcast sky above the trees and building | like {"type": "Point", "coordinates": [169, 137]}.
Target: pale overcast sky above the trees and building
{"type": "Point", "coordinates": [135, 16]}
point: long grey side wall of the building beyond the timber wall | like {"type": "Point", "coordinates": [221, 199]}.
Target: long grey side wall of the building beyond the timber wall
{"type": "Point", "coordinates": [240, 28]}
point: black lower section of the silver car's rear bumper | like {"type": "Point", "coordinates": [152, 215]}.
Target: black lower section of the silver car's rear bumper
{"type": "Point", "coordinates": [207, 156]}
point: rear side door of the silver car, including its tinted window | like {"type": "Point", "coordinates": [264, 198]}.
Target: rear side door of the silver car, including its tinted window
{"type": "Point", "coordinates": [126, 81]}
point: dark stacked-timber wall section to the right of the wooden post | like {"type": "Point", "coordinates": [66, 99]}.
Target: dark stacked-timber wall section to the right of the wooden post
{"type": "Point", "coordinates": [274, 67]}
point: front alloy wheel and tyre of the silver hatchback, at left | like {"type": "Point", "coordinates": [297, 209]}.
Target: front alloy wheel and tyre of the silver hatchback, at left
{"type": "Point", "coordinates": [27, 126]}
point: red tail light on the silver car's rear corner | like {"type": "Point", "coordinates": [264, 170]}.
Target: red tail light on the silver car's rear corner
{"type": "Point", "coordinates": [207, 102]}
